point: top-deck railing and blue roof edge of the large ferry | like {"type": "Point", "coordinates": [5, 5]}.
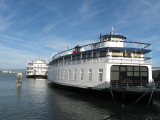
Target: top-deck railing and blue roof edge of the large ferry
{"type": "Point", "coordinates": [100, 46]}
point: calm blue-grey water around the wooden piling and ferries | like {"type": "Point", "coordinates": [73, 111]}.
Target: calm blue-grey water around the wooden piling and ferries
{"type": "Point", "coordinates": [36, 100]}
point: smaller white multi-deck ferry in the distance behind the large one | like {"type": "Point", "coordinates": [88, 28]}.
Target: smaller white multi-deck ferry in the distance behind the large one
{"type": "Point", "coordinates": [37, 68]}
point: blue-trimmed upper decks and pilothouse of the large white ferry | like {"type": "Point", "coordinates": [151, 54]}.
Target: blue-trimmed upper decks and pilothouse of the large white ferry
{"type": "Point", "coordinates": [112, 47]}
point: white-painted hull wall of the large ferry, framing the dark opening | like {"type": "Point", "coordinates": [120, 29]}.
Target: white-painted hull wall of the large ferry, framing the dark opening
{"type": "Point", "coordinates": [95, 83]}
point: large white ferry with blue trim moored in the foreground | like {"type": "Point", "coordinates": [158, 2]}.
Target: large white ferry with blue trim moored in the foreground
{"type": "Point", "coordinates": [113, 67]}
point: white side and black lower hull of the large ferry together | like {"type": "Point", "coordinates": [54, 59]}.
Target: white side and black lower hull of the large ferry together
{"type": "Point", "coordinates": [96, 87]}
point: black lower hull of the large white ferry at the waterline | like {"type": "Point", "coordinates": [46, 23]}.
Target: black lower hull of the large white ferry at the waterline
{"type": "Point", "coordinates": [119, 95]}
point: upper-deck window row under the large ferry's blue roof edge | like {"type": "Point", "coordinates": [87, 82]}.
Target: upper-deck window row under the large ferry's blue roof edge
{"type": "Point", "coordinates": [92, 54]}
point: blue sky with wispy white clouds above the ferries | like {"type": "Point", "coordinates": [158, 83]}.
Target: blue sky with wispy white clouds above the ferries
{"type": "Point", "coordinates": [31, 29]}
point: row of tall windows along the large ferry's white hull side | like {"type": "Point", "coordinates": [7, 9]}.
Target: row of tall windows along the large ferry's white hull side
{"type": "Point", "coordinates": [73, 74]}
